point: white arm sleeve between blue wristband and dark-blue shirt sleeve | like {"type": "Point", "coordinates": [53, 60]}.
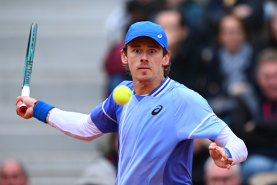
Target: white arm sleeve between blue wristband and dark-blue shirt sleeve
{"type": "Point", "coordinates": [74, 124]}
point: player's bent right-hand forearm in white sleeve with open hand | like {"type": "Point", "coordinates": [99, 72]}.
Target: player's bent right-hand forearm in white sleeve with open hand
{"type": "Point", "coordinates": [228, 149]}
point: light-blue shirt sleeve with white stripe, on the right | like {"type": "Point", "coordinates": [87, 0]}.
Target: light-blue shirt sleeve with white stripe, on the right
{"type": "Point", "coordinates": [195, 117]}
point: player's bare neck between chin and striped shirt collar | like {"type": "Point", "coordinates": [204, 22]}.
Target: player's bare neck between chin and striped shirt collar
{"type": "Point", "coordinates": [146, 87]}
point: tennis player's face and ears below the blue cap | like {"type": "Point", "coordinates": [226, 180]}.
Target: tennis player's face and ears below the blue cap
{"type": "Point", "coordinates": [145, 59]}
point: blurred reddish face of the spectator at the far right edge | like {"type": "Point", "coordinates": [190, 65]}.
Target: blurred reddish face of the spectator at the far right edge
{"type": "Point", "coordinates": [267, 79]}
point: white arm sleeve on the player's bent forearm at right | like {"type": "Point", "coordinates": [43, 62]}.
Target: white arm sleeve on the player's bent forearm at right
{"type": "Point", "coordinates": [234, 144]}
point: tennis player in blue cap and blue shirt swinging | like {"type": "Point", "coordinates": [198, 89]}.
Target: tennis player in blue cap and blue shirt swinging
{"type": "Point", "coordinates": [157, 126]}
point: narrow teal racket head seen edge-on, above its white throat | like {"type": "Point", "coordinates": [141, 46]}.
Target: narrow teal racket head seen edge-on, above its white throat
{"type": "Point", "coordinates": [30, 55]}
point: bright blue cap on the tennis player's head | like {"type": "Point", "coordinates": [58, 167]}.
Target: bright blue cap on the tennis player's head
{"type": "Point", "coordinates": [147, 29]}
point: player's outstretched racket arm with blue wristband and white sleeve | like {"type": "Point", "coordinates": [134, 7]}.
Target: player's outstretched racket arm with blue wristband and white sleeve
{"type": "Point", "coordinates": [73, 124]}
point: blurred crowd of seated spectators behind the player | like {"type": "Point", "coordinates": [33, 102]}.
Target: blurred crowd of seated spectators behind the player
{"type": "Point", "coordinates": [226, 50]}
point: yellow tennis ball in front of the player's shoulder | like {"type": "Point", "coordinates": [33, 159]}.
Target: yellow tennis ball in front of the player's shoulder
{"type": "Point", "coordinates": [122, 94]}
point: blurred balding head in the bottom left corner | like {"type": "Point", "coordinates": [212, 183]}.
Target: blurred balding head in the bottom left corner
{"type": "Point", "coordinates": [13, 173]}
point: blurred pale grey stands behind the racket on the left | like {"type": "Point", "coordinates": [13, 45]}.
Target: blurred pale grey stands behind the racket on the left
{"type": "Point", "coordinates": [67, 72]}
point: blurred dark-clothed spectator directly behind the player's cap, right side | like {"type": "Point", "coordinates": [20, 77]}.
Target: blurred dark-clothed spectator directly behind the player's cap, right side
{"type": "Point", "coordinates": [184, 66]}
